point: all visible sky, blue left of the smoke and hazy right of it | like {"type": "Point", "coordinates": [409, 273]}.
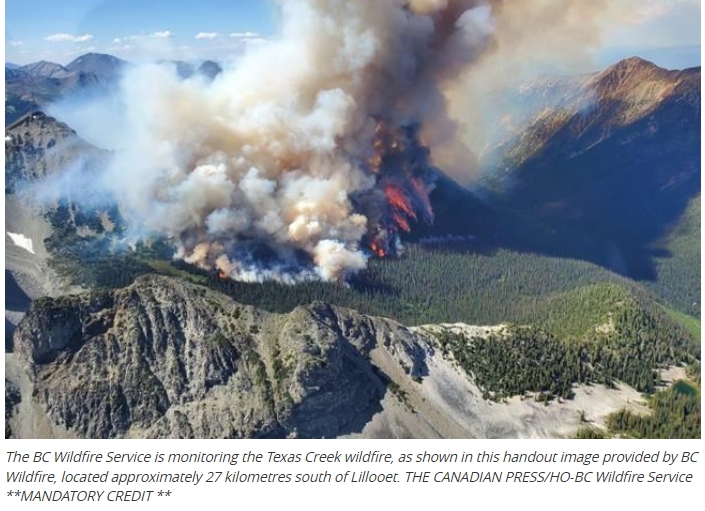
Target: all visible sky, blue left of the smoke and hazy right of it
{"type": "Point", "coordinates": [667, 31]}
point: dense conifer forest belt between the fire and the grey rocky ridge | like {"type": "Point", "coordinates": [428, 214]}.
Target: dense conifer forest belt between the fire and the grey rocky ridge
{"type": "Point", "coordinates": [567, 298]}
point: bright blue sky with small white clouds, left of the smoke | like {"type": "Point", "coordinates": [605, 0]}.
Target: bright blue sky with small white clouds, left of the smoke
{"type": "Point", "coordinates": [60, 30]}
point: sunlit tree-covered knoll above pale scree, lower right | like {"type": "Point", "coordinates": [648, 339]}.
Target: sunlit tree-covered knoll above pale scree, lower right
{"type": "Point", "coordinates": [633, 341]}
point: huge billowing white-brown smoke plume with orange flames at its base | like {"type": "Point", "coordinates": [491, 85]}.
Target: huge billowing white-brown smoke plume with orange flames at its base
{"type": "Point", "coordinates": [312, 152]}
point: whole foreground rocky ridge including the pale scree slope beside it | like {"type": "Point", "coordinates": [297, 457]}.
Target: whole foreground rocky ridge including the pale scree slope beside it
{"type": "Point", "coordinates": [165, 358]}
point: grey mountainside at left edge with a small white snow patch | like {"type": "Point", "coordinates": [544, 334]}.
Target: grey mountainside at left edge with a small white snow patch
{"type": "Point", "coordinates": [46, 166]}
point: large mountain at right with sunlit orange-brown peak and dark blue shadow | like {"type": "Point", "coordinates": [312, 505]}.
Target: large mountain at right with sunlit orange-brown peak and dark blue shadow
{"type": "Point", "coordinates": [612, 157]}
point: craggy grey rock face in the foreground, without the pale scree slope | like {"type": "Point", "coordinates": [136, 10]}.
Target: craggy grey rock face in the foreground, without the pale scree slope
{"type": "Point", "coordinates": [167, 358]}
